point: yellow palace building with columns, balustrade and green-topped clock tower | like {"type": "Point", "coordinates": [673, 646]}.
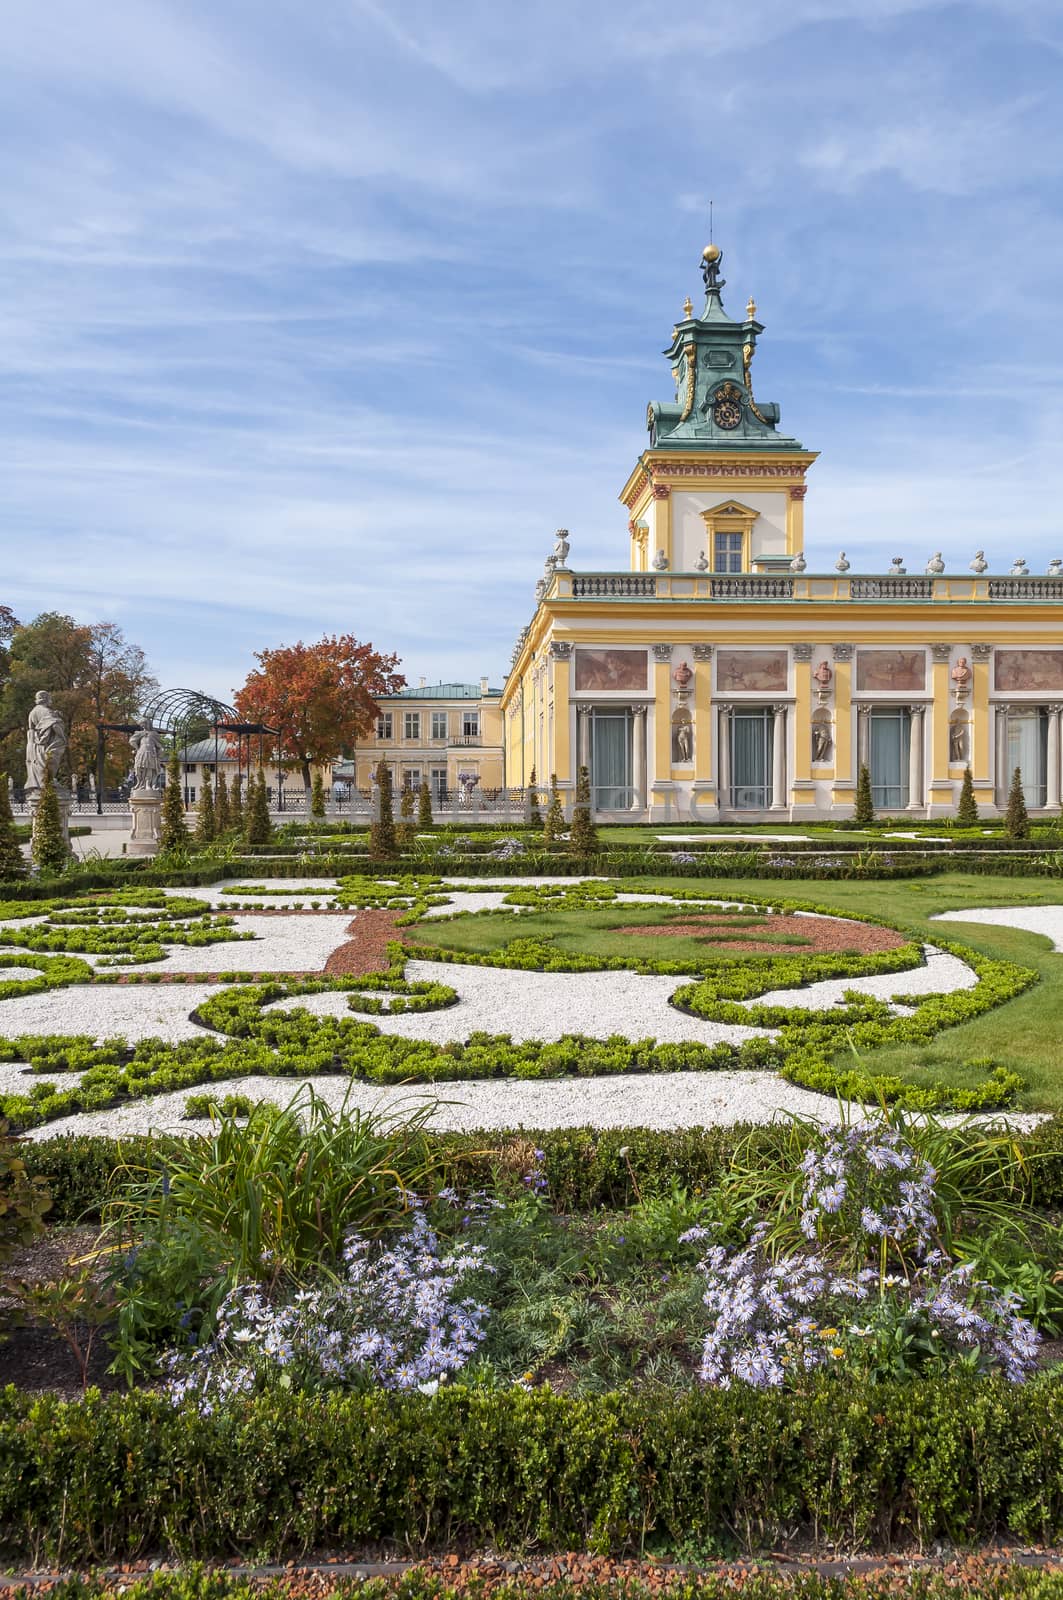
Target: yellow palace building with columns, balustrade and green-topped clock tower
{"type": "Point", "coordinates": [720, 678]}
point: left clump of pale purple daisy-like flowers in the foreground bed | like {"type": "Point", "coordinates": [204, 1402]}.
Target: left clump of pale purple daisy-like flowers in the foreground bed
{"type": "Point", "coordinates": [395, 1321]}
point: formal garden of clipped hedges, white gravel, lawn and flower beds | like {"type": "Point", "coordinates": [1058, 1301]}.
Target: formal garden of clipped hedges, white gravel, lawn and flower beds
{"type": "Point", "coordinates": [579, 1337]}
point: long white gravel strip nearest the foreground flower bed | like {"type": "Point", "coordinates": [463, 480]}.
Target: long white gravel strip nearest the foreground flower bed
{"type": "Point", "coordinates": [664, 1100]}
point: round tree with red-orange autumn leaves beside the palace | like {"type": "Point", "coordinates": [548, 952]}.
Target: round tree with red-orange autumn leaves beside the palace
{"type": "Point", "coordinates": [319, 698]}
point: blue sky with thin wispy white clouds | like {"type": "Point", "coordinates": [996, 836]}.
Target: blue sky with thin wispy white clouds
{"type": "Point", "coordinates": [321, 319]}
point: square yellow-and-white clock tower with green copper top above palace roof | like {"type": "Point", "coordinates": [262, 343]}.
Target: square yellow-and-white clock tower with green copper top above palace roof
{"type": "Point", "coordinates": [720, 489]}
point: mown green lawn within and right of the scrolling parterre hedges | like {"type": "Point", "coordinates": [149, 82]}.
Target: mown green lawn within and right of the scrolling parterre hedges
{"type": "Point", "coordinates": [1024, 1036]}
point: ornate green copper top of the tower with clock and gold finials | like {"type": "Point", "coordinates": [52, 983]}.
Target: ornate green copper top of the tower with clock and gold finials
{"type": "Point", "coordinates": [712, 356]}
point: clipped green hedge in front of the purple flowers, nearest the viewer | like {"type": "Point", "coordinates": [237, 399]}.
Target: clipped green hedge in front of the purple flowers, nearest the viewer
{"type": "Point", "coordinates": [856, 1468]}
